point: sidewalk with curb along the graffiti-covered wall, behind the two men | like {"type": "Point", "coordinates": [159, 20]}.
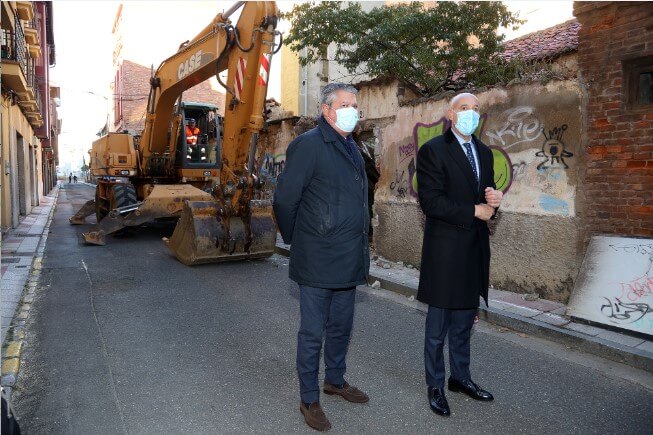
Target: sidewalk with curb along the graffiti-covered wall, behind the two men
{"type": "Point", "coordinates": [539, 317]}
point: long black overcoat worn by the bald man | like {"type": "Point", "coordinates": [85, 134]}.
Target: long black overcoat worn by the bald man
{"type": "Point", "coordinates": [456, 248]}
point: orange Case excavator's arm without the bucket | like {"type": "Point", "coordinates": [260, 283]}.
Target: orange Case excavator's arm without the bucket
{"type": "Point", "coordinates": [245, 51]}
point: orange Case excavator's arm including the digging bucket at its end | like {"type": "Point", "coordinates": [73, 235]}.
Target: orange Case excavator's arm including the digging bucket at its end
{"type": "Point", "coordinates": [232, 226]}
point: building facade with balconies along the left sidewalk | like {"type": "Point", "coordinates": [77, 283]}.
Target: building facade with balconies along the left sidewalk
{"type": "Point", "coordinates": [29, 121]}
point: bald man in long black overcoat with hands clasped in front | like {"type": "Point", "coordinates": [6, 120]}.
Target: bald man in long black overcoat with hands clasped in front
{"type": "Point", "coordinates": [455, 180]}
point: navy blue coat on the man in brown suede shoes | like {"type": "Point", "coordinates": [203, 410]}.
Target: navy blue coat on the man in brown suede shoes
{"type": "Point", "coordinates": [320, 205]}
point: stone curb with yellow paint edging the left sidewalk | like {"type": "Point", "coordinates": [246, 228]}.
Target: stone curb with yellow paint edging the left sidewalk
{"type": "Point", "coordinates": [15, 342]}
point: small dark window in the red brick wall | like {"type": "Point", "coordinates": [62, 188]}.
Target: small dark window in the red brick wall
{"type": "Point", "coordinates": [638, 83]}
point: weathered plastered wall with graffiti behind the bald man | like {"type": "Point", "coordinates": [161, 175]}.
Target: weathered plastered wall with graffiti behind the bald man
{"type": "Point", "coordinates": [534, 132]}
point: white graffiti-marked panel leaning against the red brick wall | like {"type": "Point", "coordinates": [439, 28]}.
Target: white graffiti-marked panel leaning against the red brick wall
{"type": "Point", "coordinates": [618, 289]}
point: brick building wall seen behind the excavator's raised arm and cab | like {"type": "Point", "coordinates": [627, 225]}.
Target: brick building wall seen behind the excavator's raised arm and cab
{"type": "Point", "coordinates": [135, 89]}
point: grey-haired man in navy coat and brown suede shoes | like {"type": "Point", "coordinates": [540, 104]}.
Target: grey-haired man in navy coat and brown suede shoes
{"type": "Point", "coordinates": [320, 205]}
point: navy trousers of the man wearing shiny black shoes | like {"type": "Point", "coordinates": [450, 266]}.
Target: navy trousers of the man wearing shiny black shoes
{"type": "Point", "coordinates": [458, 325]}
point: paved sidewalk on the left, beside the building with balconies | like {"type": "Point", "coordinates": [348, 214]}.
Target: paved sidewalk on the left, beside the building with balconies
{"type": "Point", "coordinates": [22, 252]}
